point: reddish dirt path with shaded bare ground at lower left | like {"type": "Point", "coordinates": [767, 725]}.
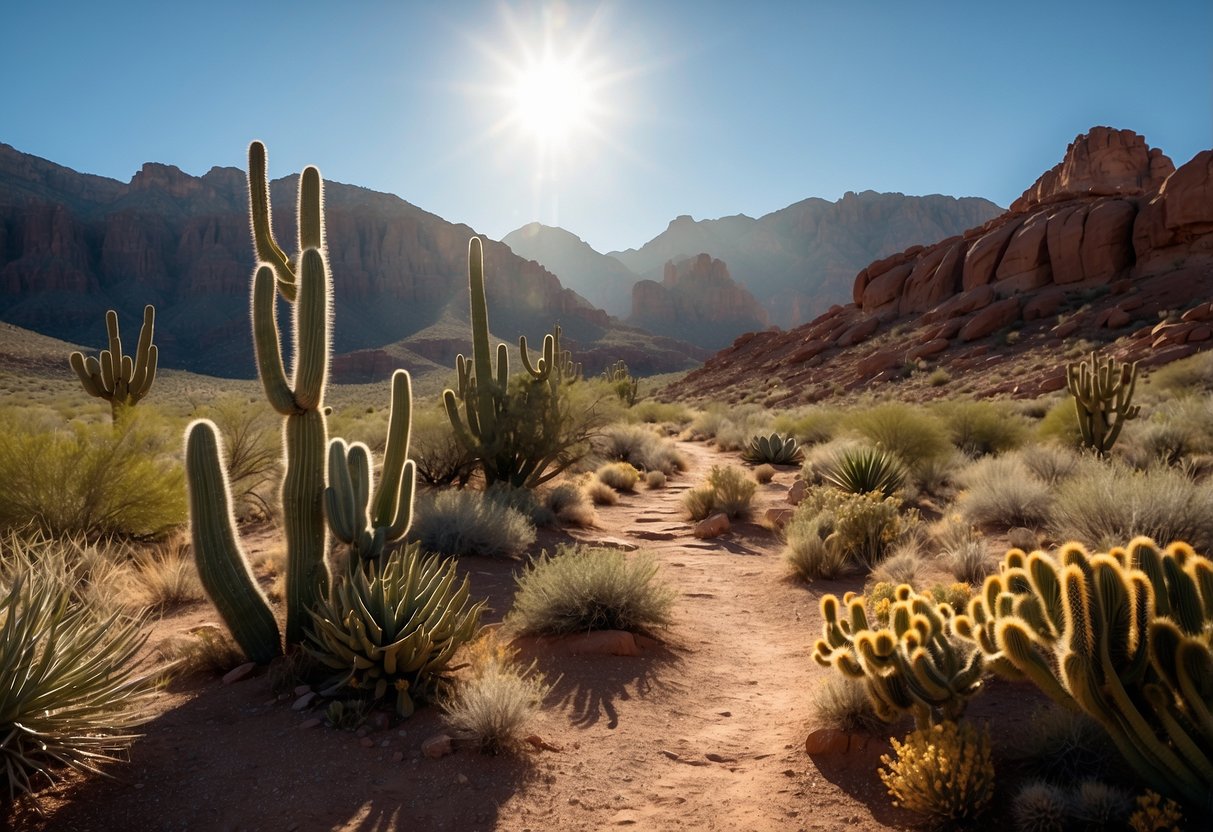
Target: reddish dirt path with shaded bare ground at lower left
{"type": "Point", "coordinates": [703, 732]}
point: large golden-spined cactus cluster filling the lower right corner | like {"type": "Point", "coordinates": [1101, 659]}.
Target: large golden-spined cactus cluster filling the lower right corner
{"type": "Point", "coordinates": [1126, 637]}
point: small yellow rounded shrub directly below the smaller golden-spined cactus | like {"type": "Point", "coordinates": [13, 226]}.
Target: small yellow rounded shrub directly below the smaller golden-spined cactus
{"type": "Point", "coordinates": [944, 772]}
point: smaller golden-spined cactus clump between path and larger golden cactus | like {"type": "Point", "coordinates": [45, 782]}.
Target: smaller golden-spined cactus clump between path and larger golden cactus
{"type": "Point", "coordinates": [913, 666]}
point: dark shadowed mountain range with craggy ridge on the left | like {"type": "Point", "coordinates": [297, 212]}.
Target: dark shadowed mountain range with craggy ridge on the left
{"type": "Point", "coordinates": [73, 246]}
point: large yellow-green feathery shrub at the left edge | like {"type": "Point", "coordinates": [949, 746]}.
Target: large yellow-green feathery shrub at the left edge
{"type": "Point", "coordinates": [93, 480]}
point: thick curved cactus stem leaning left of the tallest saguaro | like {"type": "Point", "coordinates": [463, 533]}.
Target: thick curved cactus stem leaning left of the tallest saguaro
{"type": "Point", "coordinates": [221, 565]}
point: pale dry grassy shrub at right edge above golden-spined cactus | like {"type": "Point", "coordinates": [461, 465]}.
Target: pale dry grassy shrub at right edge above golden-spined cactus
{"type": "Point", "coordinates": [1112, 503]}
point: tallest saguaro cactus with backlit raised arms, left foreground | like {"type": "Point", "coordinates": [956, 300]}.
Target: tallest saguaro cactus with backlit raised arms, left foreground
{"type": "Point", "coordinates": [305, 283]}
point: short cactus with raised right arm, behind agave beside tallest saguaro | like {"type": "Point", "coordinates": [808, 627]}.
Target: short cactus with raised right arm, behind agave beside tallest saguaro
{"type": "Point", "coordinates": [363, 521]}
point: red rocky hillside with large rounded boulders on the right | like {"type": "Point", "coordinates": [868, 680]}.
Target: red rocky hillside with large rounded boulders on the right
{"type": "Point", "coordinates": [1113, 246]}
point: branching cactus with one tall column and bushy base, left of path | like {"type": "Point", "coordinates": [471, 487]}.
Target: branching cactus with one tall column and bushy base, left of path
{"type": "Point", "coordinates": [514, 428]}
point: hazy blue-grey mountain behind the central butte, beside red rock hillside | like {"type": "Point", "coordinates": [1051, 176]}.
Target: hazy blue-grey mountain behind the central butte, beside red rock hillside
{"type": "Point", "coordinates": [800, 260]}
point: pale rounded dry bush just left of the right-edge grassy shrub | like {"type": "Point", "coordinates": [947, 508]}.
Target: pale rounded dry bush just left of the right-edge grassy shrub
{"type": "Point", "coordinates": [1003, 492]}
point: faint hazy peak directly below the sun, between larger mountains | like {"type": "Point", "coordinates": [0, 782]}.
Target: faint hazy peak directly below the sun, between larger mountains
{"type": "Point", "coordinates": [602, 281]}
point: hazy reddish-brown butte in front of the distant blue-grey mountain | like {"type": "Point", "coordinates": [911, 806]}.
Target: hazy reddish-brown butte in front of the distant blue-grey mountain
{"type": "Point", "coordinates": [697, 301]}
